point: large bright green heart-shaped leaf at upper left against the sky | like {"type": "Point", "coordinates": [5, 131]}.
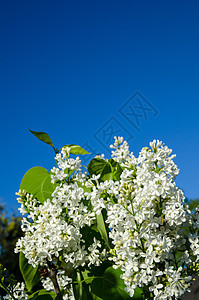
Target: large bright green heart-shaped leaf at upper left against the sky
{"type": "Point", "coordinates": [37, 181]}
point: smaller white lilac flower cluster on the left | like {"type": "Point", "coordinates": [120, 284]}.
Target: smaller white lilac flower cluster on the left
{"type": "Point", "coordinates": [53, 229]}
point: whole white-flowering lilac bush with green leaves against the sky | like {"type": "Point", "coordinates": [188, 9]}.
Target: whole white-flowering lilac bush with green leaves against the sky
{"type": "Point", "coordinates": [117, 229]}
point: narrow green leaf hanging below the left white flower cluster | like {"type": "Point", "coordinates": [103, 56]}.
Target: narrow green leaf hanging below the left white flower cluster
{"type": "Point", "coordinates": [30, 275]}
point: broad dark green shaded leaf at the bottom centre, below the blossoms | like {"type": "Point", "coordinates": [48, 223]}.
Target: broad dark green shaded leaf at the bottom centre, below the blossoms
{"type": "Point", "coordinates": [110, 286]}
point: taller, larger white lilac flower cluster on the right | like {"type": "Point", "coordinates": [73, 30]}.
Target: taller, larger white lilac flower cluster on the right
{"type": "Point", "coordinates": [146, 223]}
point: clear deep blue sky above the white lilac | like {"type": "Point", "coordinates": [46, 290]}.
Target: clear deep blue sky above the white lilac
{"type": "Point", "coordinates": [82, 70]}
